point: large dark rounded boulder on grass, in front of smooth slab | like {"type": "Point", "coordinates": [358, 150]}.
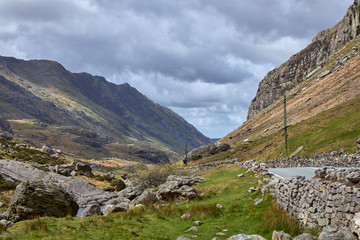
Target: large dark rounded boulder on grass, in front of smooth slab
{"type": "Point", "coordinates": [38, 199]}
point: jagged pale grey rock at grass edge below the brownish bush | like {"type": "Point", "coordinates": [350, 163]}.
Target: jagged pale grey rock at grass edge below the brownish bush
{"type": "Point", "coordinates": [180, 188]}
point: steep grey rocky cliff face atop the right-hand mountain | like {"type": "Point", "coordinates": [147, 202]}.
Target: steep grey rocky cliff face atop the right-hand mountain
{"type": "Point", "coordinates": [304, 64]}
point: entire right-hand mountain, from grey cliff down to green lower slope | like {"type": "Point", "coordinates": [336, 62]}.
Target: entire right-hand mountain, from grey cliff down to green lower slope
{"type": "Point", "coordinates": [322, 88]}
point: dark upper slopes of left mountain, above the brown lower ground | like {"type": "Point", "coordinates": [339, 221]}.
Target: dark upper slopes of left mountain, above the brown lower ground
{"type": "Point", "coordinates": [46, 91]}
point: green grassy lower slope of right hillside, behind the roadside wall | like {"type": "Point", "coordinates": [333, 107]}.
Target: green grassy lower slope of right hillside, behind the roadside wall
{"type": "Point", "coordinates": [332, 130]}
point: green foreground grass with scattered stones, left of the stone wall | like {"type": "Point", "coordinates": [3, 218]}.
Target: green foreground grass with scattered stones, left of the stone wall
{"type": "Point", "coordinates": [238, 215]}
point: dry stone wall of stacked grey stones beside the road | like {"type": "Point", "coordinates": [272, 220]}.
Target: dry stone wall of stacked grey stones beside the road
{"type": "Point", "coordinates": [320, 202]}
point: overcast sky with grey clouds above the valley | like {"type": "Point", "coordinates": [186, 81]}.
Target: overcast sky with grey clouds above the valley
{"type": "Point", "coordinates": [202, 58]}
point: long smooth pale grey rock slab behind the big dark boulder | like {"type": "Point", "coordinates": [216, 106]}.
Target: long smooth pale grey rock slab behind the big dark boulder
{"type": "Point", "coordinates": [82, 191]}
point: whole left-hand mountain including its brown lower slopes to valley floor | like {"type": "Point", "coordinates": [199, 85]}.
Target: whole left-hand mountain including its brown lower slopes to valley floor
{"type": "Point", "coordinates": [87, 115]}
